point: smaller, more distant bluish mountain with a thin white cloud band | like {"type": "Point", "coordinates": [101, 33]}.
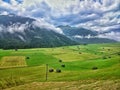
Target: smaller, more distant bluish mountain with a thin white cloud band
{"type": "Point", "coordinates": [82, 35]}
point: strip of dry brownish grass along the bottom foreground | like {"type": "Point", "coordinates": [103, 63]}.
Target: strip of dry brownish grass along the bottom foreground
{"type": "Point", "coordinates": [73, 85]}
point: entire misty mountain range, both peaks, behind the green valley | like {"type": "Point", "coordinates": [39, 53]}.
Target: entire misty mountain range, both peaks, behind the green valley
{"type": "Point", "coordinates": [20, 32]}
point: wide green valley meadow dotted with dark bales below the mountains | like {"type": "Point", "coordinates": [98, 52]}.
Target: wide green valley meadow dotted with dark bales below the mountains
{"type": "Point", "coordinates": [86, 67]}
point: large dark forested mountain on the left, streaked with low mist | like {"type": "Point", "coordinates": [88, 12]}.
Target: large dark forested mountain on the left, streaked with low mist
{"type": "Point", "coordinates": [20, 32]}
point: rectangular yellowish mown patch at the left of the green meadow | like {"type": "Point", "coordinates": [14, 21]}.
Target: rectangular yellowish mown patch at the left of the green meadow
{"type": "Point", "coordinates": [12, 61]}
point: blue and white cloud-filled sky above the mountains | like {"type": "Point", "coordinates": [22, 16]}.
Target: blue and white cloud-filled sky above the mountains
{"type": "Point", "coordinates": [98, 15]}
